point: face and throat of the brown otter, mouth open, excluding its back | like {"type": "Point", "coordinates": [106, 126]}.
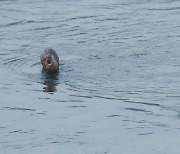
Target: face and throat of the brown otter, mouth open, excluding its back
{"type": "Point", "coordinates": [50, 65]}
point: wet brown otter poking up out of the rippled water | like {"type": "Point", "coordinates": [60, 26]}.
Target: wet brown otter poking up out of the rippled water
{"type": "Point", "coordinates": [50, 61]}
